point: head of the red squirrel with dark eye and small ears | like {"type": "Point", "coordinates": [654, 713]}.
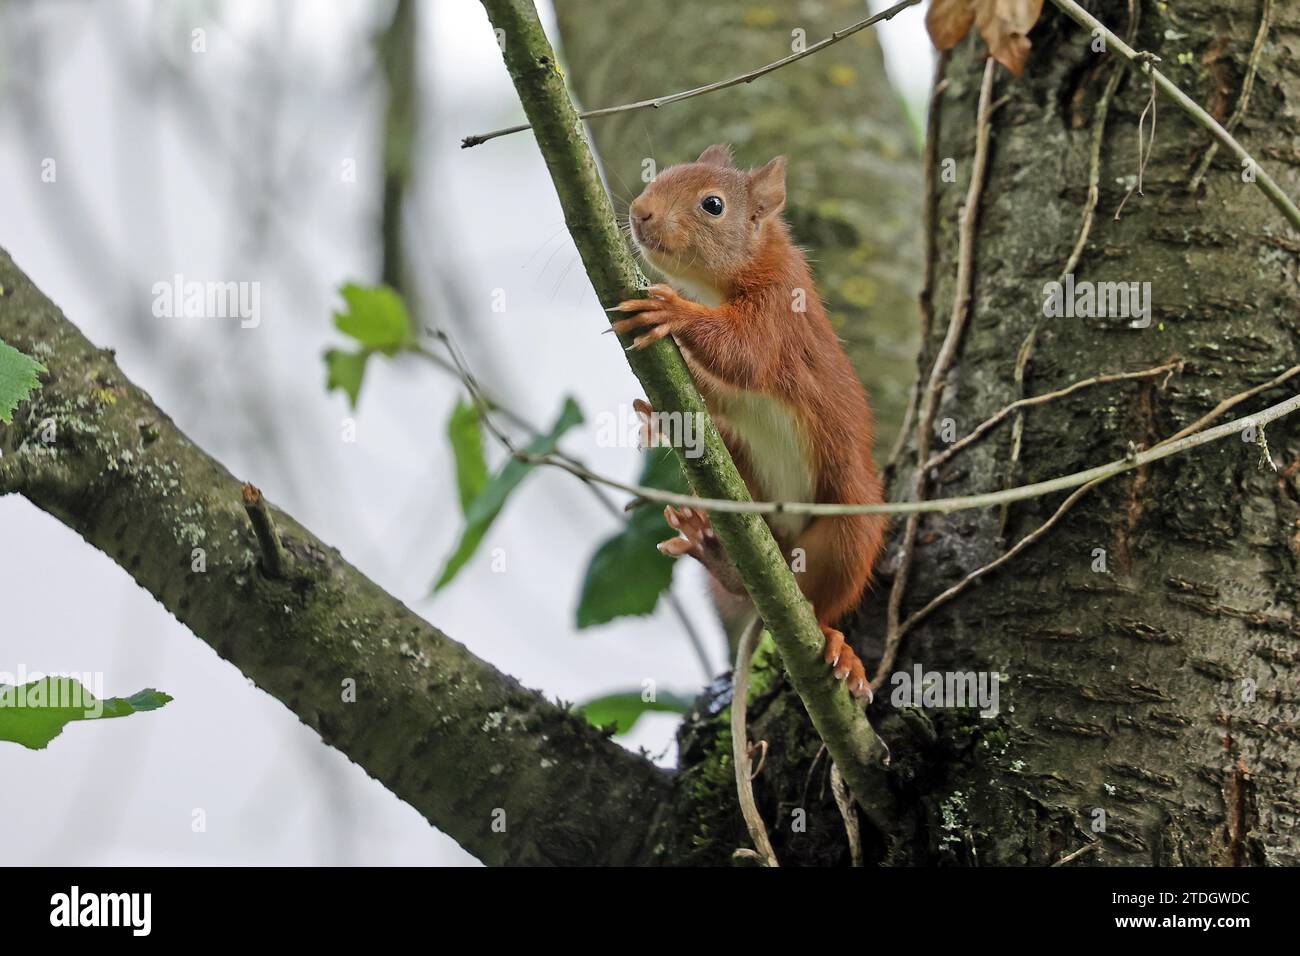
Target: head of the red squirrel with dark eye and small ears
{"type": "Point", "coordinates": [704, 222]}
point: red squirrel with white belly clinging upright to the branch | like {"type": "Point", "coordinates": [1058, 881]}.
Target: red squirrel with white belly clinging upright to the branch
{"type": "Point", "coordinates": [773, 373]}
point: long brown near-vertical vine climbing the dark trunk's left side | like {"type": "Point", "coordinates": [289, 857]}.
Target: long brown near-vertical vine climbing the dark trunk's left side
{"type": "Point", "coordinates": [943, 364]}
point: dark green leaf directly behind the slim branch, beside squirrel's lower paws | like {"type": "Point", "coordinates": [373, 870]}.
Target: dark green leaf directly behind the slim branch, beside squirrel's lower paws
{"type": "Point", "coordinates": [629, 574]}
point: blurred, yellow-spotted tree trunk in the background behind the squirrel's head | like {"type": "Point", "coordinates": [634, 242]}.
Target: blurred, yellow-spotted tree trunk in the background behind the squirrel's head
{"type": "Point", "coordinates": [855, 180]}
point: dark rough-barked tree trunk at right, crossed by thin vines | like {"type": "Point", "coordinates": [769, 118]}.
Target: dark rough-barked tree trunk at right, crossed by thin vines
{"type": "Point", "coordinates": [1160, 691]}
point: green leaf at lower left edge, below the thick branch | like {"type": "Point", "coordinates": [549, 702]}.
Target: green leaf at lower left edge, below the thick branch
{"type": "Point", "coordinates": [37, 713]}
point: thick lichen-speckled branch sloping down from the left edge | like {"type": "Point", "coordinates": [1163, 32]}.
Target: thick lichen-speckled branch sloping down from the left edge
{"type": "Point", "coordinates": [465, 745]}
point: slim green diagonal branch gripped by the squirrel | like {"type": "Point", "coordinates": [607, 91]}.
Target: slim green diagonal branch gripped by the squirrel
{"type": "Point", "coordinates": [590, 217]}
